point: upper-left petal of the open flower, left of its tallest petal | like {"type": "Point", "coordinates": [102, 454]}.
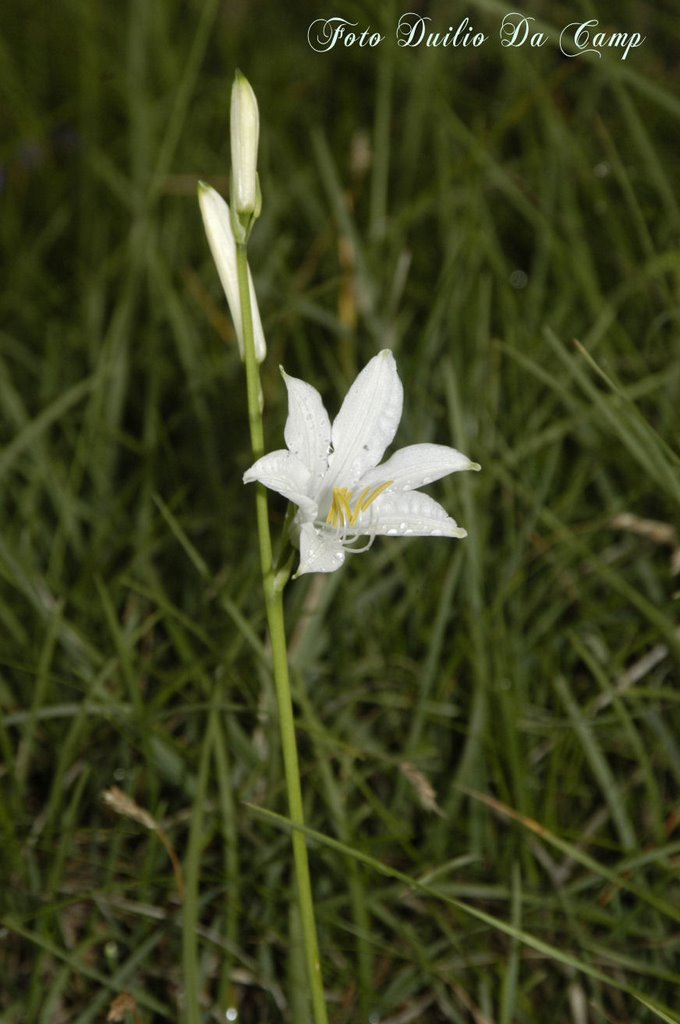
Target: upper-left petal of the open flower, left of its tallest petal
{"type": "Point", "coordinates": [308, 431]}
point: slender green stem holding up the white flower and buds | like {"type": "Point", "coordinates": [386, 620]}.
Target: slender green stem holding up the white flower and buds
{"type": "Point", "coordinates": [275, 613]}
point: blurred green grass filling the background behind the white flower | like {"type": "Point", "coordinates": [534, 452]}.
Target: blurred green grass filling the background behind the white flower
{"type": "Point", "coordinates": [496, 719]}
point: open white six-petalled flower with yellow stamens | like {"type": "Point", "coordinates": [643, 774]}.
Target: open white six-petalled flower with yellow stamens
{"type": "Point", "coordinates": [333, 477]}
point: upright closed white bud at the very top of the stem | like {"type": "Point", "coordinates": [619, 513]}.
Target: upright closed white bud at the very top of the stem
{"type": "Point", "coordinates": [245, 129]}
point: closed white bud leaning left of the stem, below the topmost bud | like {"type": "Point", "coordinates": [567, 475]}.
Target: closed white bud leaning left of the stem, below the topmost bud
{"type": "Point", "coordinates": [217, 221]}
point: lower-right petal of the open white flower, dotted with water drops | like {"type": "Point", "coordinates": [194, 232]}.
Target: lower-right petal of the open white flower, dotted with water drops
{"type": "Point", "coordinates": [408, 515]}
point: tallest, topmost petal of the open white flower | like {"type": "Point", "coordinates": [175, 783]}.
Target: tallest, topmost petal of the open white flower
{"type": "Point", "coordinates": [367, 422]}
